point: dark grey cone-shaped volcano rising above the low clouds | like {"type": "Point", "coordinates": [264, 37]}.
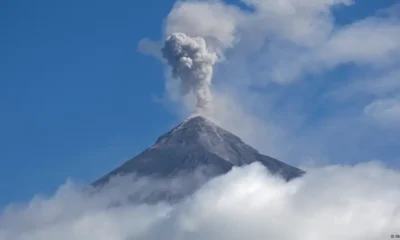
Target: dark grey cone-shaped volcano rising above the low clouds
{"type": "Point", "coordinates": [197, 143]}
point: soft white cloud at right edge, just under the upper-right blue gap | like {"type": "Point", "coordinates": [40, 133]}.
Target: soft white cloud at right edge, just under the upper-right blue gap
{"type": "Point", "coordinates": [373, 41]}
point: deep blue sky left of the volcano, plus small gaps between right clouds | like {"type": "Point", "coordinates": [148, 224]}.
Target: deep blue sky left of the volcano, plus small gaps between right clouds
{"type": "Point", "coordinates": [77, 98]}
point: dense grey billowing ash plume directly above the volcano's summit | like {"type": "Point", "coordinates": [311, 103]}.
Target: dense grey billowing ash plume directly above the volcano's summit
{"type": "Point", "coordinates": [192, 63]}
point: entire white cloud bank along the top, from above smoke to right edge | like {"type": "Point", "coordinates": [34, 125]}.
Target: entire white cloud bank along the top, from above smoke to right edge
{"type": "Point", "coordinates": [299, 34]}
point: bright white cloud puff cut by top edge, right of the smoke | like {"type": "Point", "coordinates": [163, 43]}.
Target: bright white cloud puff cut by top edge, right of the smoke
{"type": "Point", "coordinates": [302, 23]}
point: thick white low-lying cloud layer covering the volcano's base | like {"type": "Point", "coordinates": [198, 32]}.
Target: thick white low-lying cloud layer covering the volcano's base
{"type": "Point", "coordinates": [335, 202]}
